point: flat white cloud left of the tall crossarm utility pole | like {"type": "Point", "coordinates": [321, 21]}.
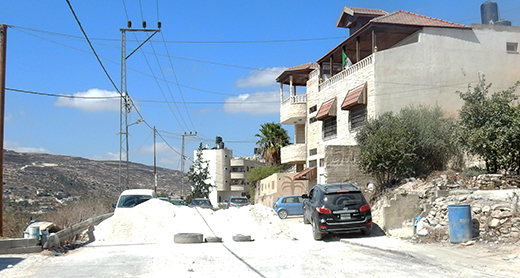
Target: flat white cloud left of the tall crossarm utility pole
{"type": "Point", "coordinates": [100, 100]}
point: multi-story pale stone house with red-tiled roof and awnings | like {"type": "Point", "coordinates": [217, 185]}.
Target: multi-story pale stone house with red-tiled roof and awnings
{"type": "Point", "coordinates": [389, 61]}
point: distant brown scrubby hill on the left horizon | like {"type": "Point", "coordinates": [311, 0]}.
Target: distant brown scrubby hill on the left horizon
{"type": "Point", "coordinates": [39, 182]}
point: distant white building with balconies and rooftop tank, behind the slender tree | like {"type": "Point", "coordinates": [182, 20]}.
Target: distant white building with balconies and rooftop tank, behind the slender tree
{"type": "Point", "coordinates": [227, 174]}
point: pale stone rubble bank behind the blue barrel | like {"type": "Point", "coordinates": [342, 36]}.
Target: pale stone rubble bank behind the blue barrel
{"type": "Point", "coordinates": [494, 202]}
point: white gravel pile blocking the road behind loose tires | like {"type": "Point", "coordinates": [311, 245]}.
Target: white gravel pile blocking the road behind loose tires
{"type": "Point", "coordinates": [157, 221]}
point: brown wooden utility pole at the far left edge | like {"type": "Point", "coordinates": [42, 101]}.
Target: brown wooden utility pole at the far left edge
{"type": "Point", "coordinates": [3, 47]}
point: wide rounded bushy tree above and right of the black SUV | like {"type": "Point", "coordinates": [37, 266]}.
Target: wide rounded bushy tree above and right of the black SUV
{"type": "Point", "coordinates": [414, 142]}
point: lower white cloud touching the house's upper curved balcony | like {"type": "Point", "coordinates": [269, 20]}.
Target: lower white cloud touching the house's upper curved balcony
{"type": "Point", "coordinates": [256, 104]}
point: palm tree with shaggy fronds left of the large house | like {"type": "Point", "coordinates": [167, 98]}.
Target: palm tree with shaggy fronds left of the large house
{"type": "Point", "coordinates": [272, 138]}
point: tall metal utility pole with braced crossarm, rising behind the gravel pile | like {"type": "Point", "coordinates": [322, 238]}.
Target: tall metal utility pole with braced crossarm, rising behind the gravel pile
{"type": "Point", "coordinates": [125, 101]}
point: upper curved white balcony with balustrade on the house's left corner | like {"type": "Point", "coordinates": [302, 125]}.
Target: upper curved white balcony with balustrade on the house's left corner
{"type": "Point", "coordinates": [294, 110]}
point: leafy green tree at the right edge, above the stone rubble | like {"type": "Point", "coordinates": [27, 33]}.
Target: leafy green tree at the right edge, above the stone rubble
{"type": "Point", "coordinates": [490, 126]}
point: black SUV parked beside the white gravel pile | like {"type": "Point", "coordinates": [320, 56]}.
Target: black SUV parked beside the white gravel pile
{"type": "Point", "coordinates": [336, 208]}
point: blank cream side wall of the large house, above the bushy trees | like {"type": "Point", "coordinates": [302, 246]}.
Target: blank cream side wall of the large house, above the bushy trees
{"type": "Point", "coordinates": [442, 62]}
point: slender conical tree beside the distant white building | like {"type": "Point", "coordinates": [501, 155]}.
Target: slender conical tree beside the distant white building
{"type": "Point", "coordinates": [198, 175]}
